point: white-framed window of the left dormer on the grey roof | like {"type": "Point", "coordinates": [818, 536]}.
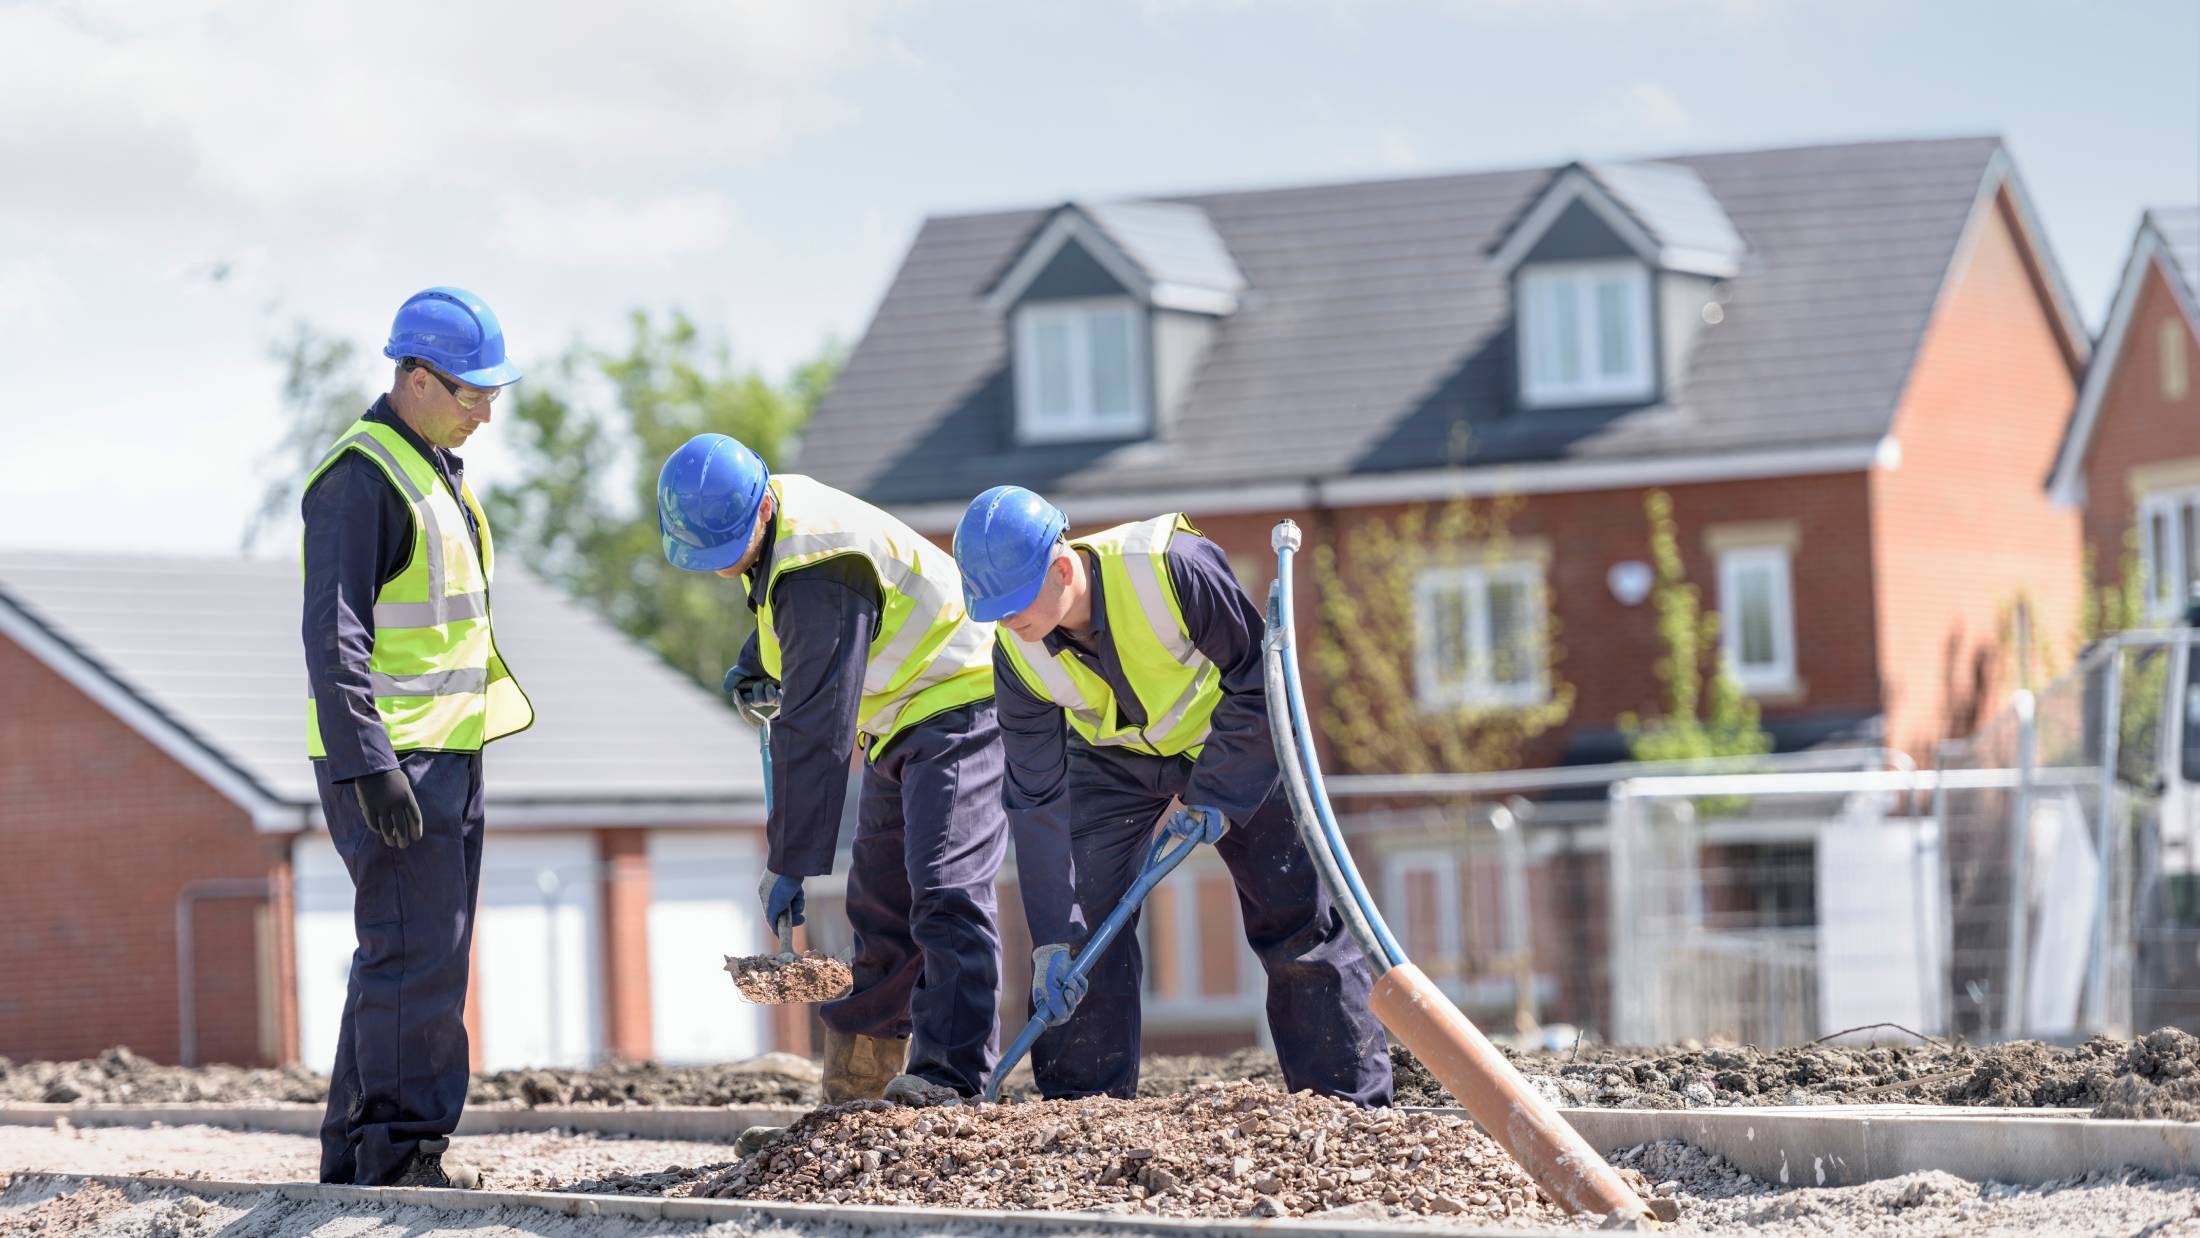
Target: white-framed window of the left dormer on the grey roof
{"type": "Point", "coordinates": [1081, 371]}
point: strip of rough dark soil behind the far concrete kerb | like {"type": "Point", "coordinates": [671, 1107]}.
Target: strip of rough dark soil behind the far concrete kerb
{"type": "Point", "coordinates": [2153, 1076]}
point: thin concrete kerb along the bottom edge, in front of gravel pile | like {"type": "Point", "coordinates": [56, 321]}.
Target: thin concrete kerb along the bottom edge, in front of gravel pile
{"type": "Point", "coordinates": [839, 1219]}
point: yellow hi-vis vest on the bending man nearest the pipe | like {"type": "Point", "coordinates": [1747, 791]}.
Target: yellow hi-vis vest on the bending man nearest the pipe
{"type": "Point", "coordinates": [1174, 681]}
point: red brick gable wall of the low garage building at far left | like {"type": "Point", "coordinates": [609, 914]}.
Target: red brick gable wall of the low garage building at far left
{"type": "Point", "coordinates": [102, 832]}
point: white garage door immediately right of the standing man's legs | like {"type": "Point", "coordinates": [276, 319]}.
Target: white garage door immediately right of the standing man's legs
{"type": "Point", "coordinates": [540, 951]}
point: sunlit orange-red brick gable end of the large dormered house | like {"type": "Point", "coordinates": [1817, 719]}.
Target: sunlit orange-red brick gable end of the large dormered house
{"type": "Point", "coordinates": [1963, 529]}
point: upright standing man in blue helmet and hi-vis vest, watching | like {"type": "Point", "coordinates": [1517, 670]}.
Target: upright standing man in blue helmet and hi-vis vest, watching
{"type": "Point", "coordinates": [406, 687]}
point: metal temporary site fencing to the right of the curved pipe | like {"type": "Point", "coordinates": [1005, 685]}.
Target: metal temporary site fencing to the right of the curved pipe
{"type": "Point", "coordinates": [2038, 881]}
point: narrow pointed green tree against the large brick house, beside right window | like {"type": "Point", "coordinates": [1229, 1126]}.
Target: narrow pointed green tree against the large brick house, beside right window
{"type": "Point", "coordinates": [1706, 711]}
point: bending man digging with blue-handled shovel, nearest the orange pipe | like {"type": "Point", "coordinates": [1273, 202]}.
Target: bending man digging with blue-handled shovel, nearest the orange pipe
{"type": "Point", "coordinates": [1127, 676]}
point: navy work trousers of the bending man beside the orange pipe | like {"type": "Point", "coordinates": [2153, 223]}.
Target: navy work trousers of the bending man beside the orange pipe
{"type": "Point", "coordinates": [1319, 984]}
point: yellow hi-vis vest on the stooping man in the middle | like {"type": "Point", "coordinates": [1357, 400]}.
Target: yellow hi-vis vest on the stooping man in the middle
{"type": "Point", "coordinates": [929, 654]}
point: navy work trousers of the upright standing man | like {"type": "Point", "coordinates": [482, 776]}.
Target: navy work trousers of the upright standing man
{"type": "Point", "coordinates": [401, 1057]}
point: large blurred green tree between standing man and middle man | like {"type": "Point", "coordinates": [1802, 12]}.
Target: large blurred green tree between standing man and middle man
{"type": "Point", "coordinates": [591, 443]}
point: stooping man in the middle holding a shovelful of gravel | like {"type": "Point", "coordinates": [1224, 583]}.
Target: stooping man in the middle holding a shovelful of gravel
{"type": "Point", "coordinates": [861, 634]}
